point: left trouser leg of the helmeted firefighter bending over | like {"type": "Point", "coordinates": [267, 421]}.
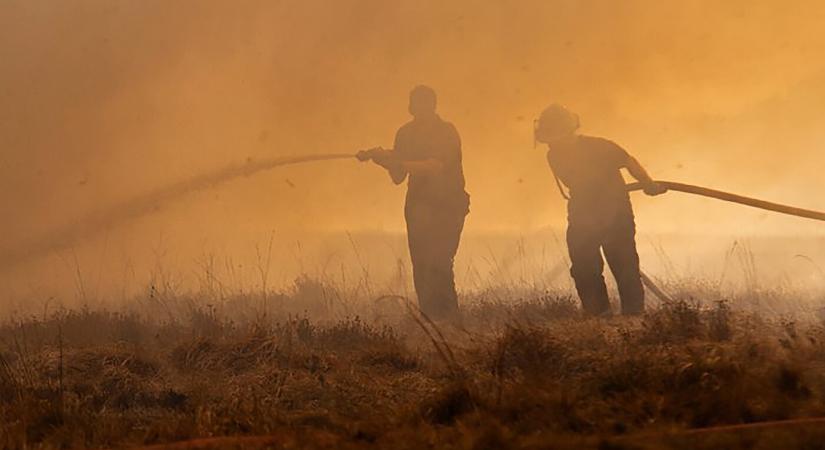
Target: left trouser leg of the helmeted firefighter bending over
{"type": "Point", "coordinates": [584, 247]}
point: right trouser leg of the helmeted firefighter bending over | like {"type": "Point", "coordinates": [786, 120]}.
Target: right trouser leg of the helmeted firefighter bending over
{"type": "Point", "coordinates": [623, 259]}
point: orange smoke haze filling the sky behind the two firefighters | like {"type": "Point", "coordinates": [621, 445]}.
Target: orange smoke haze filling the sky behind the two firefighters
{"type": "Point", "coordinates": [102, 102]}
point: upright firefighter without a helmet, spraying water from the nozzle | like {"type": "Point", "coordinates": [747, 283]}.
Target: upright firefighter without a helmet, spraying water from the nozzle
{"type": "Point", "coordinates": [428, 151]}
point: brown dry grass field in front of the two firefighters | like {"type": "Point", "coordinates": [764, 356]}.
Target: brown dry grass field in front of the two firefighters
{"type": "Point", "coordinates": [525, 372]}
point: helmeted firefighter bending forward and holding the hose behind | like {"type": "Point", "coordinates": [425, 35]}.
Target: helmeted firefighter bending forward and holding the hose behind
{"type": "Point", "coordinates": [599, 213]}
